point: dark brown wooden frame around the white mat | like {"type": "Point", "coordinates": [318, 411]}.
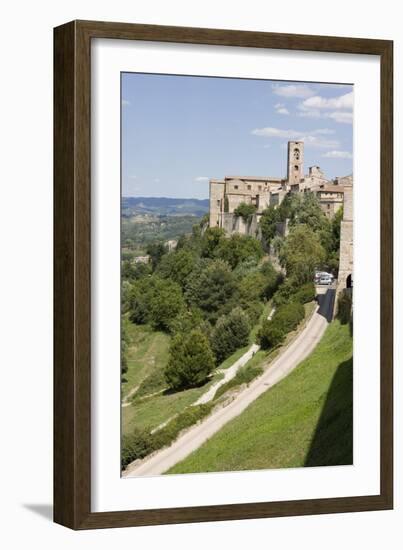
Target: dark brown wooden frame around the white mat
{"type": "Point", "coordinates": [72, 271]}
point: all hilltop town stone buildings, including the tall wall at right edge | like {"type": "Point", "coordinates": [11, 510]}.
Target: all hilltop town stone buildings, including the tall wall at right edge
{"type": "Point", "coordinates": [227, 195]}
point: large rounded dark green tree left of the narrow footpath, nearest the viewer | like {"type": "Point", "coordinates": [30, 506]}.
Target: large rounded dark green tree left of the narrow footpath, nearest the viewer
{"type": "Point", "coordinates": [190, 361]}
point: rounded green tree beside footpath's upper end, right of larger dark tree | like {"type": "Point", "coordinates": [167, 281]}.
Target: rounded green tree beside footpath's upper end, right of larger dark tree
{"type": "Point", "coordinates": [230, 333]}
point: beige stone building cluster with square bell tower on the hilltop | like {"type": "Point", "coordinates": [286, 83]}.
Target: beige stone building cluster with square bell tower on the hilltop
{"type": "Point", "coordinates": [228, 193]}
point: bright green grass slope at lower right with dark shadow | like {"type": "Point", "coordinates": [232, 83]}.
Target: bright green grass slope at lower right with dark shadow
{"type": "Point", "coordinates": [305, 420]}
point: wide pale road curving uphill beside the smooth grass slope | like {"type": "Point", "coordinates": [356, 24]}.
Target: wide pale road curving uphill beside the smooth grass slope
{"type": "Point", "coordinates": [191, 440]}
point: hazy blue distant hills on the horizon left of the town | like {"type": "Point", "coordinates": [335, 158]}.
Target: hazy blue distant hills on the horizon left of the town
{"type": "Point", "coordinates": [163, 206]}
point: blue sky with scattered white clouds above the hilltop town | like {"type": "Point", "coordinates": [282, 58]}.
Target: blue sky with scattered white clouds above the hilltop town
{"type": "Point", "coordinates": [179, 131]}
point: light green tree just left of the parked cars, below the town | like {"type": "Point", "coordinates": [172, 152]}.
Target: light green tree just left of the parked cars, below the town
{"type": "Point", "coordinates": [302, 253]}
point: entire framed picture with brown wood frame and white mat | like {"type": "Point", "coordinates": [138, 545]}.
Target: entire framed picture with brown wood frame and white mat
{"type": "Point", "coordinates": [222, 251]}
